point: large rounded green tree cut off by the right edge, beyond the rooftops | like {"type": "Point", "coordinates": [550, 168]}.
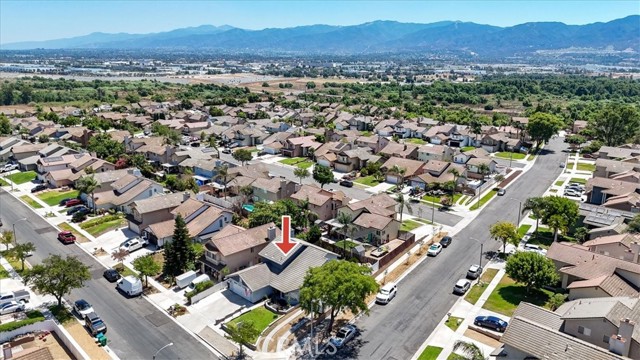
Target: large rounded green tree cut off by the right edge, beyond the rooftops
{"type": "Point", "coordinates": [615, 124]}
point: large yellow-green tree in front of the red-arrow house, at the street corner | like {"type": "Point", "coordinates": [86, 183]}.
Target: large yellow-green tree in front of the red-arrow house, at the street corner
{"type": "Point", "coordinates": [337, 285]}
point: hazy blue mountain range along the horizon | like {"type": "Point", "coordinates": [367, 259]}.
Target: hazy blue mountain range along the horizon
{"type": "Point", "coordinates": [370, 38]}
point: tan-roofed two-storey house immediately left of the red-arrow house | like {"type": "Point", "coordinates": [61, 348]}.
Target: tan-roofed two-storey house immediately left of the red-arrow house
{"type": "Point", "coordinates": [236, 248]}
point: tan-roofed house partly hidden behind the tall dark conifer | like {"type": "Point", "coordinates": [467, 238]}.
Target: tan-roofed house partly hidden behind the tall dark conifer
{"type": "Point", "coordinates": [203, 220]}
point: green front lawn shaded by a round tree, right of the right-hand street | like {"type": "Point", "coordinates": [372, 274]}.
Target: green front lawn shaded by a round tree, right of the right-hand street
{"type": "Point", "coordinates": [507, 295]}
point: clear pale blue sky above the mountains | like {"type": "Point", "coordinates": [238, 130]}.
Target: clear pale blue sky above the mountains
{"type": "Point", "coordinates": [23, 20]}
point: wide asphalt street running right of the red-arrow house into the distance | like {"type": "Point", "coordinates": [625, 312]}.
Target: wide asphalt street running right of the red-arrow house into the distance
{"type": "Point", "coordinates": [396, 330]}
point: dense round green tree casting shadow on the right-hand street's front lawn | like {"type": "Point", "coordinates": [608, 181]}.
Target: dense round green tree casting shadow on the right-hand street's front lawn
{"type": "Point", "coordinates": [531, 269]}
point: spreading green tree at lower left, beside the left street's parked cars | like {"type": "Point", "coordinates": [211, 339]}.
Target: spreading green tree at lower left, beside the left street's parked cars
{"type": "Point", "coordinates": [57, 276]}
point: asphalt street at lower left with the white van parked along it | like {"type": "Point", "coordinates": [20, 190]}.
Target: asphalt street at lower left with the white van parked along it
{"type": "Point", "coordinates": [136, 328]}
